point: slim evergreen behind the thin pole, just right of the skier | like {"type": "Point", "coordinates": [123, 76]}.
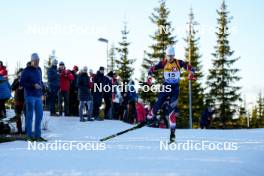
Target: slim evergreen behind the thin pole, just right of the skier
{"type": "Point", "coordinates": [193, 57]}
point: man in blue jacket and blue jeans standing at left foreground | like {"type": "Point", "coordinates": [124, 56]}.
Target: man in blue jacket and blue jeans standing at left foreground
{"type": "Point", "coordinates": [31, 80]}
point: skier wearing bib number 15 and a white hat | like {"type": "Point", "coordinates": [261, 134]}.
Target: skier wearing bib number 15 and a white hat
{"type": "Point", "coordinates": [172, 72]}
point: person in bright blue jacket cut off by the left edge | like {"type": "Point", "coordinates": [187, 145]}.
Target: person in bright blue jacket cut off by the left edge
{"type": "Point", "coordinates": [5, 94]}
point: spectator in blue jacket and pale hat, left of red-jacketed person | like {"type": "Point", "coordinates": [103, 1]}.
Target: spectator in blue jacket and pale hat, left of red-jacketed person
{"type": "Point", "coordinates": [53, 86]}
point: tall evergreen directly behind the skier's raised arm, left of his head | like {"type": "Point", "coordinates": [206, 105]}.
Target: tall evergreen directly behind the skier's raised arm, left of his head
{"type": "Point", "coordinates": [162, 38]}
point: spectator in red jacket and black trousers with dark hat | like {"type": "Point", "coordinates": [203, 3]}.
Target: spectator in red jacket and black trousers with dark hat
{"type": "Point", "coordinates": [65, 80]}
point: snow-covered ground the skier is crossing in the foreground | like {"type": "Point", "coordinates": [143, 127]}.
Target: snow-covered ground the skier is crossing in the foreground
{"type": "Point", "coordinates": [135, 153]}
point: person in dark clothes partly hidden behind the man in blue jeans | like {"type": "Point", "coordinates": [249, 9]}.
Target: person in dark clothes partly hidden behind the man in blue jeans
{"type": "Point", "coordinates": [19, 101]}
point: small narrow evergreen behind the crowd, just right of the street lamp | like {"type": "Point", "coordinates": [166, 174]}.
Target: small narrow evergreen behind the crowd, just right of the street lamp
{"type": "Point", "coordinates": [124, 64]}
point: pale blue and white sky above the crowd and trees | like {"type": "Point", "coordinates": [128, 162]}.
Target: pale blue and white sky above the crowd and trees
{"type": "Point", "coordinates": [72, 29]}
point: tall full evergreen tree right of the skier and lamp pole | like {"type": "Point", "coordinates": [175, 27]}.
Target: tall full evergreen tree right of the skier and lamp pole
{"type": "Point", "coordinates": [222, 79]}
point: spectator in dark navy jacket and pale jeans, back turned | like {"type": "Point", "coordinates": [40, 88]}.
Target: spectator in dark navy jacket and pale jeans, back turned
{"type": "Point", "coordinates": [84, 93]}
